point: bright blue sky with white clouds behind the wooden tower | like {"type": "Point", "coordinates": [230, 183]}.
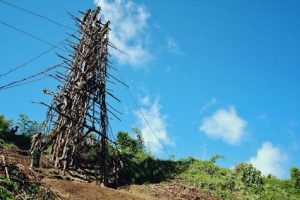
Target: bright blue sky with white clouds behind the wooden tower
{"type": "Point", "coordinates": [211, 77]}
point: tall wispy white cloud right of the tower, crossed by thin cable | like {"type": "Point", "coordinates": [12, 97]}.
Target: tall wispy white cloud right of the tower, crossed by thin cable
{"type": "Point", "coordinates": [157, 122]}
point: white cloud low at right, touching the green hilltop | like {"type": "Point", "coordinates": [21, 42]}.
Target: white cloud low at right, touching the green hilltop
{"type": "Point", "coordinates": [269, 160]}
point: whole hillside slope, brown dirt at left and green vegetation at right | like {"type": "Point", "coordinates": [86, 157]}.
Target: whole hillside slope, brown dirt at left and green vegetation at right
{"type": "Point", "coordinates": [145, 177]}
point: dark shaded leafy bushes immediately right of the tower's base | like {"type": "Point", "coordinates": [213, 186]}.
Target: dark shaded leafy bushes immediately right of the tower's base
{"type": "Point", "coordinates": [140, 166]}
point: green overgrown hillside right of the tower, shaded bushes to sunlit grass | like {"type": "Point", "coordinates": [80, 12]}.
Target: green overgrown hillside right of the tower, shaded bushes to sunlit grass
{"type": "Point", "coordinates": [243, 182]}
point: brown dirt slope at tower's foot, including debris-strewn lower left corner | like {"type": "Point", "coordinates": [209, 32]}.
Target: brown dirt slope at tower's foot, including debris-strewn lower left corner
{"type": "Point", "coordinates": [44, 184]}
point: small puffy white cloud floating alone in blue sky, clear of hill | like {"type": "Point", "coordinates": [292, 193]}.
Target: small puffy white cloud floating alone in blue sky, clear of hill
{"type": "Point", "coordinates": [224, 124]}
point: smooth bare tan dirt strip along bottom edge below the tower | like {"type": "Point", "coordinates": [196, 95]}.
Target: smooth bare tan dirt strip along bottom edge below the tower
{"type": "Point", "coordinates": [78, 191]}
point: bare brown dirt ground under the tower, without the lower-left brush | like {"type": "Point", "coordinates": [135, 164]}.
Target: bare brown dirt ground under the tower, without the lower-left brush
{"type": "Point", "coordinates": [74, 190]}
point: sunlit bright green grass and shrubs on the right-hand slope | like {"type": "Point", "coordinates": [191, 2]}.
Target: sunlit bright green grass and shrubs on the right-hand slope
{"type": "Point", "coordinates": [244, 184]}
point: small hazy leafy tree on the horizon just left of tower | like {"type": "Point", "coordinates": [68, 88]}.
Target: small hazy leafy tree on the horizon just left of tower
{"type": "Point", "coordinates": [27, 126]}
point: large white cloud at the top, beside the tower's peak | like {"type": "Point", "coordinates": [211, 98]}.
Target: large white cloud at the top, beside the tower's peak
{"type": "Point", "coordinates": [128, 30]}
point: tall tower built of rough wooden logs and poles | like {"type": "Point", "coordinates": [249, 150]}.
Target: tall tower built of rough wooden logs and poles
{"type": "Point", "coordinates": [80, 107]}
